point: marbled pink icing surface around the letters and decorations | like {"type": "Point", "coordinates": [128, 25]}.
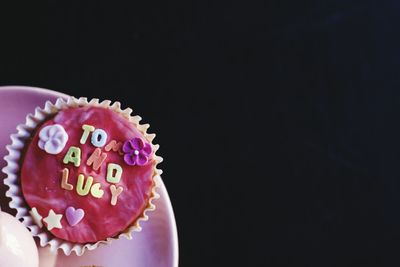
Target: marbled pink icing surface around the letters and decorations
{"type": "Point", "coordinates": [41, 178]}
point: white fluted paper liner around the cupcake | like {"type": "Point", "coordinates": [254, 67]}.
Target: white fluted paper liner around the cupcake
{"type": "Point", "coordinates": [14, 158]}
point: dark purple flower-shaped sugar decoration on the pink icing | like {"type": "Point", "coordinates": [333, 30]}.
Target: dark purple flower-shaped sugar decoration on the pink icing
{"type": "Point", "coordinates": [136, 152]}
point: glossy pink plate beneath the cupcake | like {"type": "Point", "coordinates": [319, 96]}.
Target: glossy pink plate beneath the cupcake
{"type": "Point", "coordinates": [155, 246]}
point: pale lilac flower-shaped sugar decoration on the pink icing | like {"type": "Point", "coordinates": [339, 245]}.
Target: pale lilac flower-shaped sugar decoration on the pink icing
{"type": "Point", "coordinates": [53, 139]}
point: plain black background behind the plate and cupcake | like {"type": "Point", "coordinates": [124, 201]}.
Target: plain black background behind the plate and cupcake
{"type": "Point", "coordinates": [278, 121]}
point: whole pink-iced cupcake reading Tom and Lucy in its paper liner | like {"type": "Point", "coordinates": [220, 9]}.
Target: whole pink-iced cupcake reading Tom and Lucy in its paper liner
{"type": "Point", "coordinates": [82, 173]}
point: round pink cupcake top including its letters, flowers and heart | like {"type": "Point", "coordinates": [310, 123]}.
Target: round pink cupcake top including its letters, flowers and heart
{"type": "Point", "coordinates": [87, 174]}
